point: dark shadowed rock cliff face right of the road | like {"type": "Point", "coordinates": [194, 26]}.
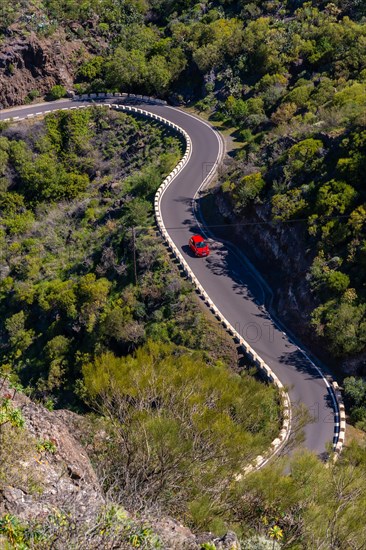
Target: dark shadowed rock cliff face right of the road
{"type": "Point", "coordinates": [277, 253]}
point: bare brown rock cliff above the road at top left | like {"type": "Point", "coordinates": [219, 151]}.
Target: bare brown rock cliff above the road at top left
{"type": "Point", "coordinates": [29, 63]}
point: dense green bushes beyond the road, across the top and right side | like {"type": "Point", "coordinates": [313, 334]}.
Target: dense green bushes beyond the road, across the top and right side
{"type": "Point", "coordinates": [291, 76]}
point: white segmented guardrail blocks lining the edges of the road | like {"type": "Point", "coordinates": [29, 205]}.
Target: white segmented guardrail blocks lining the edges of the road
{"type": "Point", "coordinates": [279, 442]}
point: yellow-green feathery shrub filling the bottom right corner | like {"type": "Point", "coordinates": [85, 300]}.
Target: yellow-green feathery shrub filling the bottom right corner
{"type": "Point", "coordinates": [314, 505]}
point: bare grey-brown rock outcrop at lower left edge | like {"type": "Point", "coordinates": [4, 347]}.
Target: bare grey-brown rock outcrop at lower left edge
{"type": "Point", "coordinates": [68, 480]}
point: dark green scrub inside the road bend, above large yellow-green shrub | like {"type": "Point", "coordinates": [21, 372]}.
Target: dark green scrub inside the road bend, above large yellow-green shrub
{"type": "Point", "coordinates": [73, 187]}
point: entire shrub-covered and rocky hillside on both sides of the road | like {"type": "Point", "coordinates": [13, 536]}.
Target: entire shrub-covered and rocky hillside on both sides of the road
{"type": "Point", "coordinates": [94, 315]}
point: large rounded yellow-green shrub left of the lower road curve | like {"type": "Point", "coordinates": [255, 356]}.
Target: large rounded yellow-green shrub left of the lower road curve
{"type": "Point", "coordinates": [177, 426]}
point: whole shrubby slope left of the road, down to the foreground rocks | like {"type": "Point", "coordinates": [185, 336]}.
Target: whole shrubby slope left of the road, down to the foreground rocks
{"type": "Point", "coordinates": [95, 318]}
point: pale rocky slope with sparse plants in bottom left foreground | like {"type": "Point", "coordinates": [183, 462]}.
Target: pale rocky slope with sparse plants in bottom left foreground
{"type": "Point", "coordinates": [50, 496]}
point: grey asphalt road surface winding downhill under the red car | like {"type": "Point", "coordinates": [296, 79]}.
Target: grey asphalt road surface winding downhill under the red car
{"type": "Point", "coordinates": [234, 288]}
